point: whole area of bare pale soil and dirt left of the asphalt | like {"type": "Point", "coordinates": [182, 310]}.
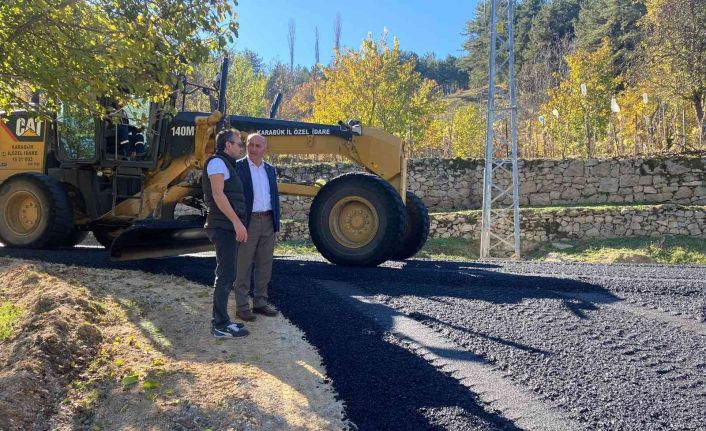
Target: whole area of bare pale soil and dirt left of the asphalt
{"type": "Point", "coordinates": [114, 349]}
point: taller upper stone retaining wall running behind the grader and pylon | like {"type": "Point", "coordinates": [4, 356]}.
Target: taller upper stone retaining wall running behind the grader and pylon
{"type": "Point", "coordinates": [455, 184]}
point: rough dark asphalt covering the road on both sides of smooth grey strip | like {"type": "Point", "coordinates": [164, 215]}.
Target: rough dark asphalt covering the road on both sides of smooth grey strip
{"type": "Point", "coordinates": [610, 347]}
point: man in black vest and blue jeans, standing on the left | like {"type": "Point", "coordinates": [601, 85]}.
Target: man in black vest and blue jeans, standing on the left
{"type": "Point", "coordinates": [224, 196]}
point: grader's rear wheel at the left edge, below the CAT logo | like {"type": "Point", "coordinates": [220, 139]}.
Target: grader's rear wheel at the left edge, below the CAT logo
{"type": "Point", "coordinates": [35, 212]}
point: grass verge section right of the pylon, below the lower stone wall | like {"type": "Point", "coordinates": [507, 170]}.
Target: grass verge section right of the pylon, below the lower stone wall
{"type": "Point", "coordinates": [667, 249]}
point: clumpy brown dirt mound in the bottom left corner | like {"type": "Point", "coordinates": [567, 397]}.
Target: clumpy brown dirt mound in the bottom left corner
{"type": "Point", "coordinates": [55, 338]}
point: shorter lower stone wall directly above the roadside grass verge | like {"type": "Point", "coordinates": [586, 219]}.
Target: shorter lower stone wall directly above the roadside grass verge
{"type": "Point", "coordinates": [571, 223]}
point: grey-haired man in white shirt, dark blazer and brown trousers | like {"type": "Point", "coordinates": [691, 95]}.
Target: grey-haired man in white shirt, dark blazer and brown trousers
{"type": "Point", "coordinates": [262, 221]}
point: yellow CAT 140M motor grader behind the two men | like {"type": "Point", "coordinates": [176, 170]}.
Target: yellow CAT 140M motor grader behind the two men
{"type": "Point", "coordinates": [121, 176]}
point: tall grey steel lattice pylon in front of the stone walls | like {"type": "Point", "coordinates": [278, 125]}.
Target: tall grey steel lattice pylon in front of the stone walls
{"type": "Point", "coordinates": [500, 200]}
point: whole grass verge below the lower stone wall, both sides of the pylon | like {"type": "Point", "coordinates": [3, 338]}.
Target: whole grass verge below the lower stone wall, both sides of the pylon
{"type": "Point", "coordinates": [668, 249]}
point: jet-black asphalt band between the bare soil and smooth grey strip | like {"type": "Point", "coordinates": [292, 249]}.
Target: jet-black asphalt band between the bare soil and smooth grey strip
{"type": "Point", "coordinates": [383, 384]}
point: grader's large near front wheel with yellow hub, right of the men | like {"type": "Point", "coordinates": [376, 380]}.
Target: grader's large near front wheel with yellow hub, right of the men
{"type": "Point", "coordinates": [357, 219]}
